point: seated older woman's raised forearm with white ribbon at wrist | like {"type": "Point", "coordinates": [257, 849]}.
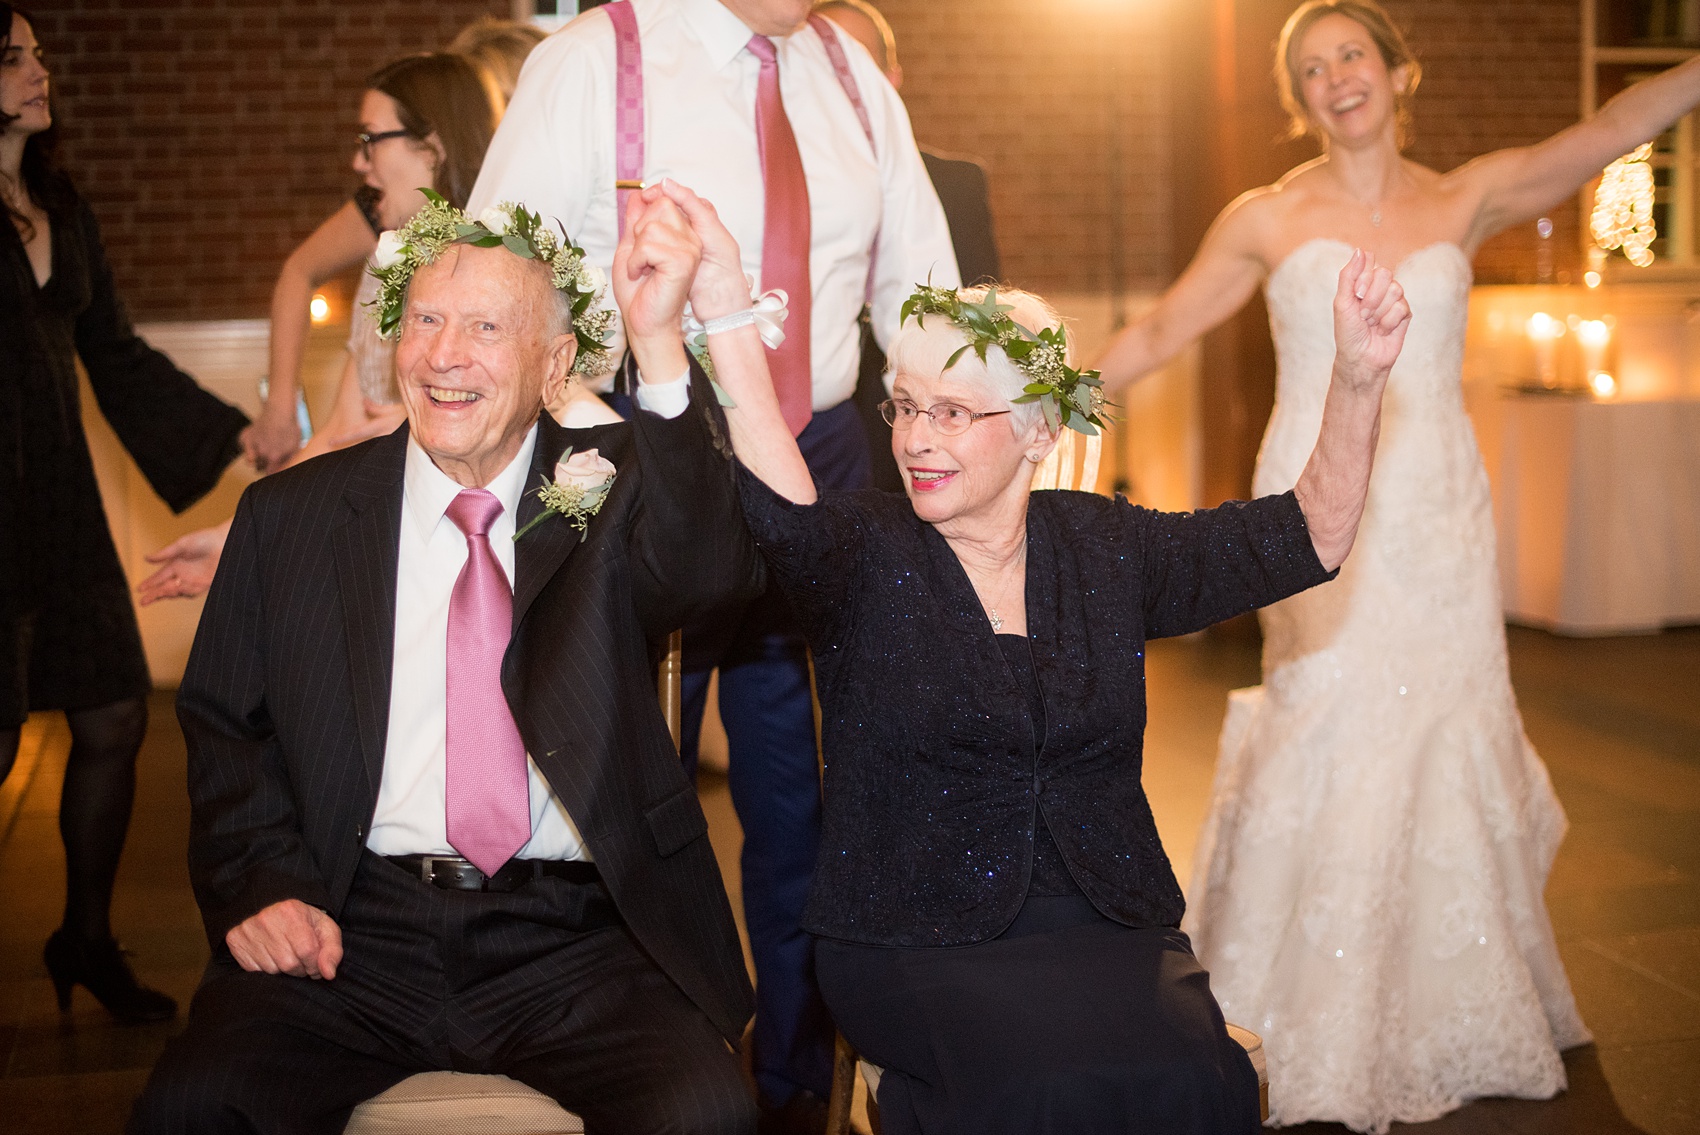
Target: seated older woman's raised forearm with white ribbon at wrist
{"type": "Point", "coordinates": [761, 436]}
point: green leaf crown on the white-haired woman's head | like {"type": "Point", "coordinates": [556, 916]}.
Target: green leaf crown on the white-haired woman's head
{"type": "Point", "coordinates": [1067, 397]}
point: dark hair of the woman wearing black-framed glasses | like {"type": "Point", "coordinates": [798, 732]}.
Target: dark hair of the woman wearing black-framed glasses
{"type": "Point", "coordinates": [441, 94]}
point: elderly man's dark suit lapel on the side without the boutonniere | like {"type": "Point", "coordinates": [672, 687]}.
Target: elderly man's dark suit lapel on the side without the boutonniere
{"type": "Point", "coordinates": [366, 548]}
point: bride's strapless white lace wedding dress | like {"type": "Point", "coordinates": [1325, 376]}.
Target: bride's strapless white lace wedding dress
{"type": "Point", "coordinates": [1369, 884]}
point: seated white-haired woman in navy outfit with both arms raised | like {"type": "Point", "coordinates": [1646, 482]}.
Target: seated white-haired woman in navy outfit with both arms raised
{"type": "Point", "coordinates": [999, 925]}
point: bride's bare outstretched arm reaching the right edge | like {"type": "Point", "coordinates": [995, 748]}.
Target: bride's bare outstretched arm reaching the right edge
{"type": "Point", "coordinates": [1524, 183]}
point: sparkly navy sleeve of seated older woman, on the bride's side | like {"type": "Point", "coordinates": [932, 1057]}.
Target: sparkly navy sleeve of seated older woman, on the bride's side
{"type": "Point", "coordinates": [1216, 563]}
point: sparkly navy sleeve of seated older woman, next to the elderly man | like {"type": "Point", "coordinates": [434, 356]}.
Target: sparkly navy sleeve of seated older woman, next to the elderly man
{"type": "Point", "coordinates": [815, 551]}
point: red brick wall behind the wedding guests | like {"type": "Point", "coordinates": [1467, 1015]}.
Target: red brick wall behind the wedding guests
{"type": "Point", "coordinates": [213, 135]}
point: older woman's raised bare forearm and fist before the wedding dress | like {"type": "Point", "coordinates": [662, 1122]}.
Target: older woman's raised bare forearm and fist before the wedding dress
{"type": "Point", "coordinates": [1371, 319]}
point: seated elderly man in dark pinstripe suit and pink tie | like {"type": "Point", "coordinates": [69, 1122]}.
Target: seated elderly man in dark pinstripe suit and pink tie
{"type": "Point", "coordinates": [438, 820]}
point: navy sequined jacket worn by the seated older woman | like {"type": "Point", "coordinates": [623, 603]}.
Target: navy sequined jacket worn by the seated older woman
{"type": "Point", "coordinates": [932, 788]}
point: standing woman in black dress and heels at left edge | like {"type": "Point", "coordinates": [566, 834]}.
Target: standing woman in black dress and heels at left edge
{"type": "Point", "coordinates": [69, 635]}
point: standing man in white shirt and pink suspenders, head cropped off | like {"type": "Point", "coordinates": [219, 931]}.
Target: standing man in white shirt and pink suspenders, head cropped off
{"type": "Point", "coordinates": [873, 230]}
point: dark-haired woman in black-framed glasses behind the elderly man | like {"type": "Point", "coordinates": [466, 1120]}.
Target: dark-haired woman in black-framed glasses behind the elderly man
{"type": "Point", "coordinates": [426, 120]}
